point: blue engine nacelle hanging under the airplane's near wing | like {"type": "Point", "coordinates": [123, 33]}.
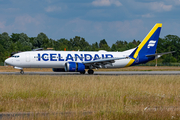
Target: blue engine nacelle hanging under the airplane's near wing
{"type": "Point", "coordinates": [74, 67]}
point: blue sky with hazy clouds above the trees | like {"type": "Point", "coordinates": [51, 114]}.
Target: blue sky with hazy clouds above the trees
{"type": "Point", "coordinates": [93, 20]}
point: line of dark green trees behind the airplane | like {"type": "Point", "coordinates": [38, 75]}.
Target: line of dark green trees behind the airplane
{"type": "Point", "coordinates": [21, 42]}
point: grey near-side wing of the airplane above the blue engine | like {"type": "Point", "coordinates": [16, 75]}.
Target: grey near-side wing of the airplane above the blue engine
{"type": "Point", "coordinates": [100, 63]}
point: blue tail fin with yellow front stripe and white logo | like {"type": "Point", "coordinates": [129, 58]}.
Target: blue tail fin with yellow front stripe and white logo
{"type": "Point", "coordinates": [147, 47]}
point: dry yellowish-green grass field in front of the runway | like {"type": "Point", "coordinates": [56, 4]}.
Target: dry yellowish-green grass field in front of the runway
{"type": "Point", "coordinates": [107, 97]}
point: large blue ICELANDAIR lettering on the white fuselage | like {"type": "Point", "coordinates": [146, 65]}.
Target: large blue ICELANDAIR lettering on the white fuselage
{"type": "Point", "coordinates": [69, 57]}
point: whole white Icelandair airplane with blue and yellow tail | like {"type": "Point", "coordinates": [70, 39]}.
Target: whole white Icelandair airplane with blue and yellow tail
{"type": "Point", "coordinates": [79, 61]}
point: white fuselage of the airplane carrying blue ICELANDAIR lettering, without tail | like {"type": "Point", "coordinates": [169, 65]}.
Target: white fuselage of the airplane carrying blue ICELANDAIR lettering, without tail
{"type": "Point", "coordinates": [57, 59]}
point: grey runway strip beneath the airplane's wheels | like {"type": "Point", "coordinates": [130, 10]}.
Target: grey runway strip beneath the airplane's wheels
{"type": "Point", "coordinates": [98, 73]}
